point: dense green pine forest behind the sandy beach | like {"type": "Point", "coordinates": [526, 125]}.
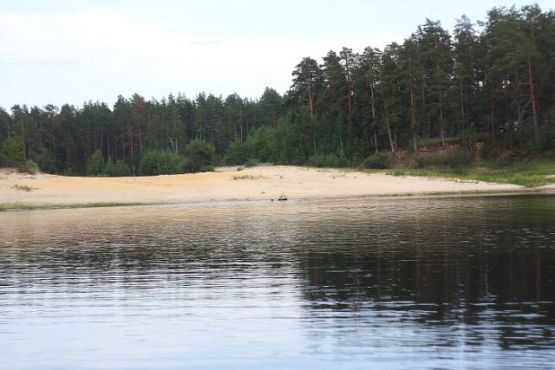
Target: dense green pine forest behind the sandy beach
{"type": "Point", "coordinates": [494, 78]}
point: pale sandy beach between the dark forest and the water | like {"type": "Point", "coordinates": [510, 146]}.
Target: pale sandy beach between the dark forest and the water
{"type": "Point", "coordinates": [225, 184]}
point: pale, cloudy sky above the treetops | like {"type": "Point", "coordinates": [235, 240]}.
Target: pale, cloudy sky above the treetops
{"type": "Point", "coordinates": [74, 51]}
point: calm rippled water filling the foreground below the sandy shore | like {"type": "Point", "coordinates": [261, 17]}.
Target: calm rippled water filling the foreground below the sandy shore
{"type": "Point", "coordinates": [361, 283]}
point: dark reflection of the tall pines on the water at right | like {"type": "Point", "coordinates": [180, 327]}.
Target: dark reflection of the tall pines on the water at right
{"type": "Point", "coordinates": [485, 266]}
